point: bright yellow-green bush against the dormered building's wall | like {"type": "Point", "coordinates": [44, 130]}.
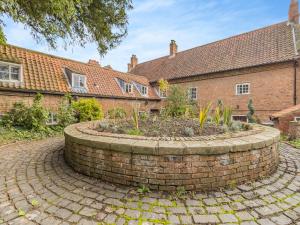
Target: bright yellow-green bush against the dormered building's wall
{"type": "Point", "coordinates": [88, 110]}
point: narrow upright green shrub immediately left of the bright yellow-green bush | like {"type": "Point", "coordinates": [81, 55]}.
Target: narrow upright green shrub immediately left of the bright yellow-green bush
{"type": "Point", "coordinates": [66, 113]}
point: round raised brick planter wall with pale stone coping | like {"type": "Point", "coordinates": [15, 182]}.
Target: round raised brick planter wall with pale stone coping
{"type": "Point", "coordinates": [204, 163]}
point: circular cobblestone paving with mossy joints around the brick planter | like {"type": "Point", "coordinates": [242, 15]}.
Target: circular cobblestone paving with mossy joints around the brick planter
{"type": "Point", "coordinates": [37, 187]}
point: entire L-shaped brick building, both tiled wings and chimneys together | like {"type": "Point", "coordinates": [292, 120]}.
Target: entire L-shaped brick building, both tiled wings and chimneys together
{"type": "Point", "coordinates": [262, 65]}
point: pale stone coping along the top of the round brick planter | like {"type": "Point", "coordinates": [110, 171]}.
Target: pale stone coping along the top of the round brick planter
{"type": "Point", "coordinates": [258, 138]}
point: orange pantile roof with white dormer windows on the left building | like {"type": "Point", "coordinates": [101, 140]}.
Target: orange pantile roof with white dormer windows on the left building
{"type": "Point", "coordinates": [43, 72]}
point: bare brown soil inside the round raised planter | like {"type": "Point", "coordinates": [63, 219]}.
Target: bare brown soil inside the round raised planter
{"type": "Point", "coordinates": [157, 127]}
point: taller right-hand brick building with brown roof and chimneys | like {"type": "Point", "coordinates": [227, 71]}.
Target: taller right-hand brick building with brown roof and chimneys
{"type": "Point", "coordinates": [261, 65]}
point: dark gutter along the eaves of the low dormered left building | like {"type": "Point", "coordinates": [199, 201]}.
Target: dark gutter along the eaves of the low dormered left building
{"type": "Point", "coordinates": [75, 94]}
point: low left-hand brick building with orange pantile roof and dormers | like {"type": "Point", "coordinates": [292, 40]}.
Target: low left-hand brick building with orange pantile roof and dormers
{"type": "Point", "coordinates": [23, 73]}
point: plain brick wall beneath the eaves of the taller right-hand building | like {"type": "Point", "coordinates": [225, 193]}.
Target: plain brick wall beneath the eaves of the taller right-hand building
{"type": "Point", "coordinates": [271, 88]}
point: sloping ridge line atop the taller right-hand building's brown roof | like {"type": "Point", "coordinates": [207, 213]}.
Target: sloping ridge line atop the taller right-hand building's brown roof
{"type": "Point", "coordinates": [214, 42]}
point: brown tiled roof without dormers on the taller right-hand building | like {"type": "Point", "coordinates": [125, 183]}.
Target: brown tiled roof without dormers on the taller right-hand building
{"type": "Point", "coordinates": [264, 46]}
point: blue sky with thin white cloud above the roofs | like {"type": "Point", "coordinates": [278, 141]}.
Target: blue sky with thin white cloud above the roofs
{"type": "Point", "coordinates": [153, 23]}
